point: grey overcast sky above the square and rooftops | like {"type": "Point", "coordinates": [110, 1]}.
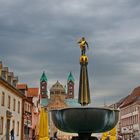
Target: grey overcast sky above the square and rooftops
{"type": "Point", "coordinates": [42, 35]}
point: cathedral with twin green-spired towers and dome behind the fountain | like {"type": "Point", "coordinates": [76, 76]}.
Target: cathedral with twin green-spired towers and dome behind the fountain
{"type": "Point", "coordinates": [58, 97]}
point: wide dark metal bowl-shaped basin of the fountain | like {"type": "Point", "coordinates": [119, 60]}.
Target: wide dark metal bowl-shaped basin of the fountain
{"type": "Point", "coordinates": [85, 119]}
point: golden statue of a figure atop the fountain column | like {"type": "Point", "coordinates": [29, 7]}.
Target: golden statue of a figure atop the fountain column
{"type": "Point", "coordinates": [83, 44]}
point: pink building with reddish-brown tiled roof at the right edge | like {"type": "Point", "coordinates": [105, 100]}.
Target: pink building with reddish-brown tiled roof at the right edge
{"type": "Point", "coordinates": [130, 116]}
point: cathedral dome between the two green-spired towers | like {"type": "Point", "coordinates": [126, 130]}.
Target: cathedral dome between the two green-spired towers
{"type": "Point", "coordinates": [57, 88]}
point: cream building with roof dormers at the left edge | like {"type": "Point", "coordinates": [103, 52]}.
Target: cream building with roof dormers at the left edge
{"type": "Point", "coordinates": [10, 105]}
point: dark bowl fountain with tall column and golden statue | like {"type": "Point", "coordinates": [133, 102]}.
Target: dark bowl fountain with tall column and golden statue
{"type": "Point", "coordinates": [84, 120]}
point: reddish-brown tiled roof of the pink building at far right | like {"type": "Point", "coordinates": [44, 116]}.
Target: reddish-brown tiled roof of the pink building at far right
{"type": "Point", "coordinates": [132, 97]}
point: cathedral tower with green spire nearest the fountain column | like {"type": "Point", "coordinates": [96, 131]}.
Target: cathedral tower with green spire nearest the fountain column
{"type": "Point", "coordinates": [70, 87]}
